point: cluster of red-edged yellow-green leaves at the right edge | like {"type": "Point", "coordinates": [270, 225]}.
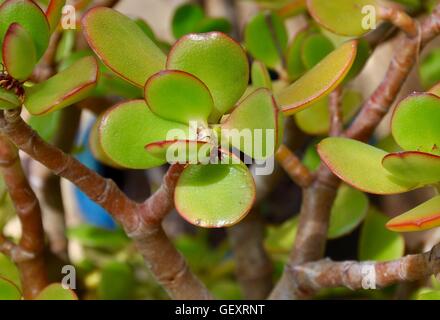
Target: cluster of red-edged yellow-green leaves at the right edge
{"type": "Point", "coordinates": [415, 128]}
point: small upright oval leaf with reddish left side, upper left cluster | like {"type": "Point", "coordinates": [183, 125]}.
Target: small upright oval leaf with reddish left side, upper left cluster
{"type": "Point", "coordinates": [19, 54]}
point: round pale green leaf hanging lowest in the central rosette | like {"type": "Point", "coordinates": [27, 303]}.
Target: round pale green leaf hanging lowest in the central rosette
{"type": "Point", "coordinates": [215, 195]}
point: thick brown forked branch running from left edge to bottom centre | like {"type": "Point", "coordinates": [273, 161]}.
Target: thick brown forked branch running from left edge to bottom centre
{"type": "Point", "coordinates": [141, 221]}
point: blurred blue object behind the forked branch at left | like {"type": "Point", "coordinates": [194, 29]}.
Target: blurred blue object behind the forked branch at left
{"type": "Point", "coordinates": [90, 211]}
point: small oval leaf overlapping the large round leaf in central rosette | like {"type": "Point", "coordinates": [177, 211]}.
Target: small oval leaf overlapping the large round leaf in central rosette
{"type": "Point", "coordinates": [178, 96]}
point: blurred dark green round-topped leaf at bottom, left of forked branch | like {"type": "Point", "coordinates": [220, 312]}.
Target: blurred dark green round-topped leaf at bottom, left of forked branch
{"type": "Point", "coordinates": [117, 282]}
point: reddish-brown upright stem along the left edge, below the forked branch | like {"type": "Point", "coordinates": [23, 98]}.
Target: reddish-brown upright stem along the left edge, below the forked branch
{"type": "Point", "coordinates": [31, 265]}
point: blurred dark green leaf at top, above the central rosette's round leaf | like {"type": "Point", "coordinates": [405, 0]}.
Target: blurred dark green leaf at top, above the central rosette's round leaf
{"type": "Point", "coordinates": [185, 19]}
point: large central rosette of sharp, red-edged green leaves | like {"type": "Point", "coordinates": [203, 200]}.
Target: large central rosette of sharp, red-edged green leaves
{"type": "Point", "coordinates": [205, 76]}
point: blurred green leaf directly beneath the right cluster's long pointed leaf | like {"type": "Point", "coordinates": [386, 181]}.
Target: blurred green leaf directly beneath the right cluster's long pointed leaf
{"type": "Point", "coordinates": [348, 211]}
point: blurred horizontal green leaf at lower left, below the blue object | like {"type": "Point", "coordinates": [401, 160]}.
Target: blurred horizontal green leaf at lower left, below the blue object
{"type": "Point", "coordinates": [100, 238]}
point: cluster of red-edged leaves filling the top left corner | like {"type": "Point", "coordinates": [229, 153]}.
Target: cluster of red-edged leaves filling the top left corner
{"type": "Point", "coordinates": [24, 36]}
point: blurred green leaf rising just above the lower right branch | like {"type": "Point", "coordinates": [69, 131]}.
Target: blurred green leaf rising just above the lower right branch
{"type": "Point", "coordinates": [376, 242]}
